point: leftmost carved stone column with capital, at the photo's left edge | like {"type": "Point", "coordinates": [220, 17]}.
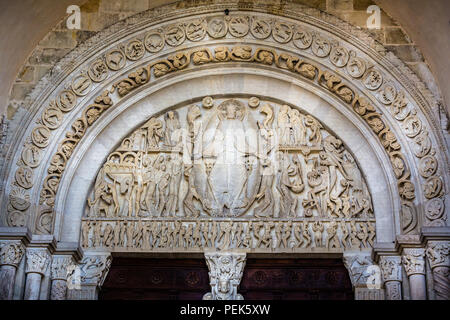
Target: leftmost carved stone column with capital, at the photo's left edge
{"type": "Point", "coordinates": [11, 254]}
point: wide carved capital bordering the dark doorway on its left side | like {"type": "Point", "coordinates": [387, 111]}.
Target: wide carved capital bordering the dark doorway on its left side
{"type": "Point", "coordinates": [94, 269]}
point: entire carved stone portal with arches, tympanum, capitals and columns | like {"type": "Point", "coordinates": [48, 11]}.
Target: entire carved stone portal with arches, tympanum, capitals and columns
{"type": "Point", "coordinates": [243, 133]}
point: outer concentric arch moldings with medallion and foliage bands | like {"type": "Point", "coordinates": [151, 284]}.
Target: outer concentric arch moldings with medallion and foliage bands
{"type": "Point", "coordinates": [347, 63]}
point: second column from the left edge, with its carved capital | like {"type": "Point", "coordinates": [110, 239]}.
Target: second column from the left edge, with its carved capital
{"type": "Point", "coordinates": [37, 263]}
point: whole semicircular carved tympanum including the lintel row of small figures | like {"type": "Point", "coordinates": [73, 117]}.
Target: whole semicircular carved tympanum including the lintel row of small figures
{"type": "Point", "coordinates": [230, 174]}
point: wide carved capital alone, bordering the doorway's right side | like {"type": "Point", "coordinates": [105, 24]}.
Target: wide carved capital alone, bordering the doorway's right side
{"type": "Point", "coordinates": [364, 273]}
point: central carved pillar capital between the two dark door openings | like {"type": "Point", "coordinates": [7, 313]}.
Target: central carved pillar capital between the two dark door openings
{"type": "Point", "coordinates": [225, 274]}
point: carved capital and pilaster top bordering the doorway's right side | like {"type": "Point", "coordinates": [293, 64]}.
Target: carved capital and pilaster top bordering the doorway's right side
{"type": "Point", "coordinates": [365, 276]}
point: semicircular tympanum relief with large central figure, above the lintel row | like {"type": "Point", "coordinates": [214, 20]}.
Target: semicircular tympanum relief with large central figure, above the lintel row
{"type": "Point", "coordinates": [238, 159]}
